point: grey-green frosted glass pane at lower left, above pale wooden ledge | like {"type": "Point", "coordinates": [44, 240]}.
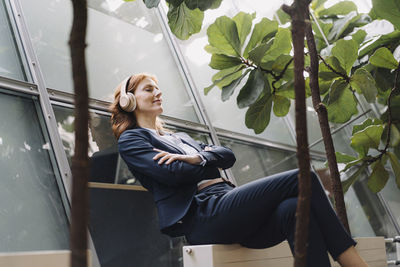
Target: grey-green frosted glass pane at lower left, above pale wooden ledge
{"type": "Point", "coordinates": [32, 216]}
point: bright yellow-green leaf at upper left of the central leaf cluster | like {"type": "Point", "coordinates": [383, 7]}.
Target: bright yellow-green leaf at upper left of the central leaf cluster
{"type": "Point", "coordinates": [223, 35]}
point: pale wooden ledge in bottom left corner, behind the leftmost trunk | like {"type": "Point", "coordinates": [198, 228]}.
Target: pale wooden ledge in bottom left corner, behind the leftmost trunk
{"type": "Point", "coordinates": [59, 258]}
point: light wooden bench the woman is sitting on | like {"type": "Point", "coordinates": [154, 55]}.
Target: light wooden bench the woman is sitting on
{"type": "Point", "coordinates": [372, 249]}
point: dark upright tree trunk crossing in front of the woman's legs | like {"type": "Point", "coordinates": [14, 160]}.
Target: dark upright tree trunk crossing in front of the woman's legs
{"type": "Point", "coordinates": [296, 12]}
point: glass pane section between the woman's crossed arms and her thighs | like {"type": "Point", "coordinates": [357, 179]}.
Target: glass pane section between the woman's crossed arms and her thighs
{"type": "Point", "coordinates": [253, 162]}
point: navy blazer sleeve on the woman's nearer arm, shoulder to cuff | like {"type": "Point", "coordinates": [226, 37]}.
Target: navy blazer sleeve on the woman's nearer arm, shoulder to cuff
{"type": "Point", "coordinates": [137, 151]}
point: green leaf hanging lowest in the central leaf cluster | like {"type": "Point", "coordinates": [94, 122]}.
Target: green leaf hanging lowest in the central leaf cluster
{"type": "Point", "coordinates": [259, 114]}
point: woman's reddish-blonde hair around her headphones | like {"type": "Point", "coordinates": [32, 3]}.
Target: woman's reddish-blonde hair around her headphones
{"type": "Point", "coordinates": [122, 120]}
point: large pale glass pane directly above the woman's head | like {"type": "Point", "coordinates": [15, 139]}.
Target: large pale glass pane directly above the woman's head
{"type": "Point", "coordinates": [123, 39]}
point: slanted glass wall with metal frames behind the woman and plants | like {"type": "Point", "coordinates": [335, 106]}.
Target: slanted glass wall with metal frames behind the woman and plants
{"type": "Point", "coordinates": [125, 38]}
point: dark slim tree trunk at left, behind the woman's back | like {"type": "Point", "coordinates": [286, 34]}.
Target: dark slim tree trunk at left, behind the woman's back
{"type": "Point", "coordinates": [80, 160]}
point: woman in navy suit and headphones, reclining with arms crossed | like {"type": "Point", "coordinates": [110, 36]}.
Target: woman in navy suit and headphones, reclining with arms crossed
{"type": "Point", "coordinates": [193, 200]}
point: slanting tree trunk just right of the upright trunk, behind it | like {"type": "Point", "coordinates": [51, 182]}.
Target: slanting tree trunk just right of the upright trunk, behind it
{"type": "Point", "coordinates": [322, 112]}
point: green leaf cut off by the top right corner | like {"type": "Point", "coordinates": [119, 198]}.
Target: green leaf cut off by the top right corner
{"type": "Point", "coordinates": [389, 10]}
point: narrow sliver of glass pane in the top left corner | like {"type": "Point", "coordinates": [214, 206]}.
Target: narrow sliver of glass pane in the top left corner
{"type": "Point", "coordinates": [10, 61]}
